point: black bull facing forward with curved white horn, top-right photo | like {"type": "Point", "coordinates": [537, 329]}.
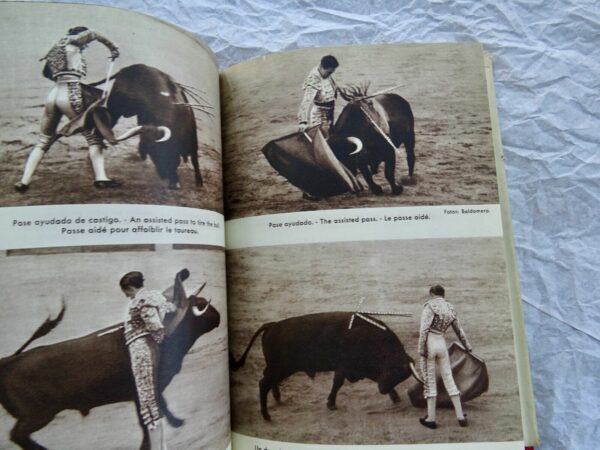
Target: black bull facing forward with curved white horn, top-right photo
{"type": "Point", "coordinates": [382, 123]}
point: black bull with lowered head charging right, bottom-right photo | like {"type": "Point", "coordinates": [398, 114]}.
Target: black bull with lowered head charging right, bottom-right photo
{"type": "Point", "coordinates": [324, 342]}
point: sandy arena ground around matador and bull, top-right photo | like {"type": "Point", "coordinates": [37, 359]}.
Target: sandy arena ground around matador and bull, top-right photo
{"type": "Point", "coordinates": [444, 85]}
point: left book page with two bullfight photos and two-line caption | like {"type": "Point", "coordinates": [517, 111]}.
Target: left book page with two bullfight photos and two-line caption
{"type": "Point", "coordinates": [112, 258]}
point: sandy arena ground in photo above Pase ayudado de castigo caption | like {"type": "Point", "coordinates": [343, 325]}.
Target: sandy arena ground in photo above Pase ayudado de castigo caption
{"type": "Point", "coordinates": [65, 175]}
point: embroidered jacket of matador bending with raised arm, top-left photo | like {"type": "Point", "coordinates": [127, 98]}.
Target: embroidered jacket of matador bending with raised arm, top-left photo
{"type": "Point", "coordinates": [65, 57]}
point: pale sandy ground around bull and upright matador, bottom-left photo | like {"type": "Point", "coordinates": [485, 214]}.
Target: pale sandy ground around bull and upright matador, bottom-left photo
{"type": "Point", "coordinates": [33, 287]}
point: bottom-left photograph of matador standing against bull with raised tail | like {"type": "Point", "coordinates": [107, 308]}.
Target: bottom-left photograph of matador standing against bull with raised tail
{"type": "Point", "coordinates": [114, 348]}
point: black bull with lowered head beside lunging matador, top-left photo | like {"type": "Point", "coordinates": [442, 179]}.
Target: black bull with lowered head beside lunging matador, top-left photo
{"type": "Point", "coordinates": [159, 104]}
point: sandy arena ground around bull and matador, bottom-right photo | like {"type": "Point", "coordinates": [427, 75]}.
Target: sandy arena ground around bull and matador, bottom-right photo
{"type": "Point", "coordinates": [272, 283]}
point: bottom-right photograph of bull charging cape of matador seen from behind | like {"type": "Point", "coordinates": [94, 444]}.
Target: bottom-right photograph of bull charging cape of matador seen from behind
{"type": "Point", "coordinates": [402, 342]}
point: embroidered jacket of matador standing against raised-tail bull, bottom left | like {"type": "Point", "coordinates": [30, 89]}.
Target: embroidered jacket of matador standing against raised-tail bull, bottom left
{"type": "Point", "coordinates": [145, 317]}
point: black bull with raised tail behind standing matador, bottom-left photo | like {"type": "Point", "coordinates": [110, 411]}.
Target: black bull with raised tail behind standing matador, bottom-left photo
{"type": "Point", "coordinates": [90, 371]}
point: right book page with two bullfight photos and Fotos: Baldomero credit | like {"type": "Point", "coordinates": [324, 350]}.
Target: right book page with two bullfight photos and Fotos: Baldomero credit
{"type": "Point", "coordinates": [352, 196]}
